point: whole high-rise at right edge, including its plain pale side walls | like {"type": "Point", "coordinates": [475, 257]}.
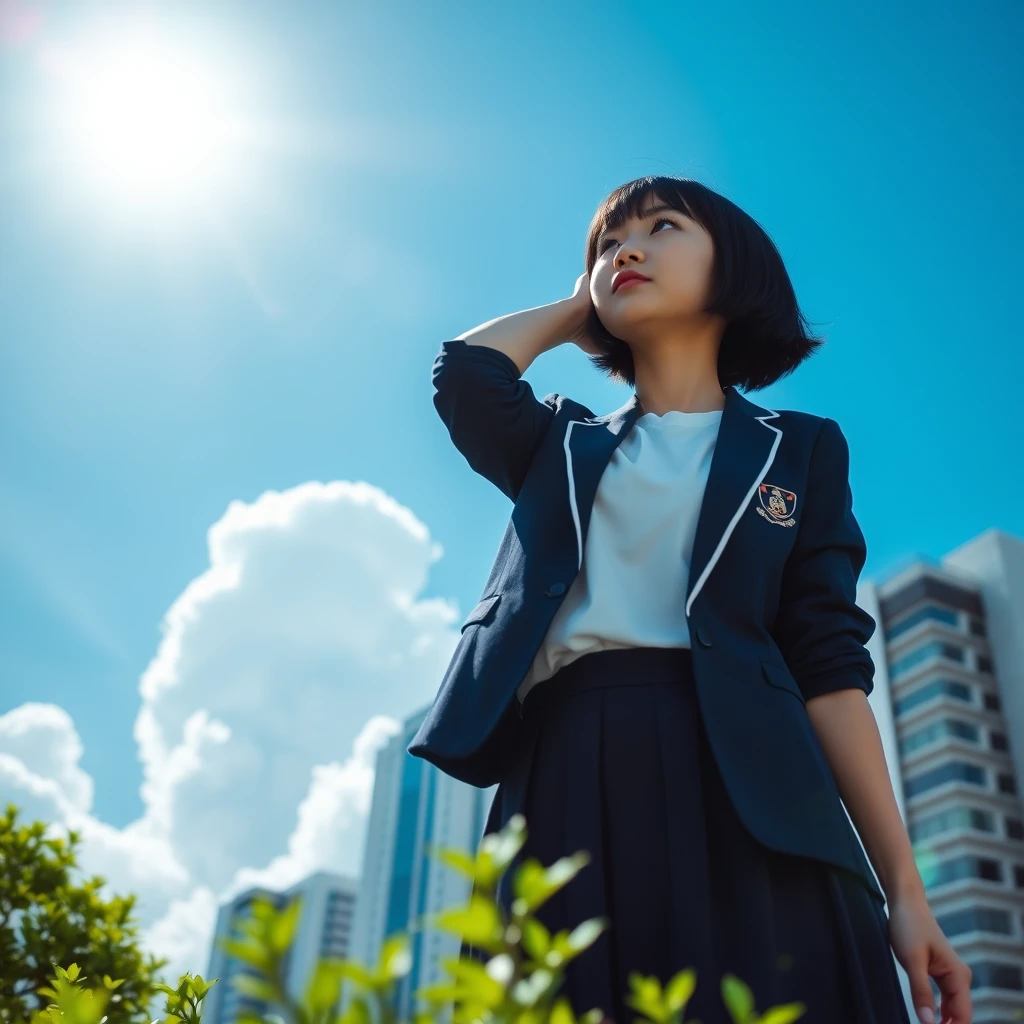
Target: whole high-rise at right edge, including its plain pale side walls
{"type": "Point", "coordinates": [950, 703]}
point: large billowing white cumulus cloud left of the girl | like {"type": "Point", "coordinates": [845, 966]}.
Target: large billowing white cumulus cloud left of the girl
{"type": "Point", "coordinates": [281, 672]}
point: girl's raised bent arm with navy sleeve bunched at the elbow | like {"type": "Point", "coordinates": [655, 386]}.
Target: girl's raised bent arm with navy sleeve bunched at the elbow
{"type": "Point", "coordinates": [492, 414]}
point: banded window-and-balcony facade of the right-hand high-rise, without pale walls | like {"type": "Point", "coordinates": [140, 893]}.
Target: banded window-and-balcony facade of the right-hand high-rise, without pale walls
{"type": "Point", "coordinates": [968, 838]}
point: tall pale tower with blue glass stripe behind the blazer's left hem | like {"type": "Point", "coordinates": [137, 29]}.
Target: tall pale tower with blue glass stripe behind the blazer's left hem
{"type": "Point", "coordinates": [415, 806]}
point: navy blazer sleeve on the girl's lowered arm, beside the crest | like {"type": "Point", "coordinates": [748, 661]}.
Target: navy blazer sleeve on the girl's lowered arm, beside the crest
{"type": "Point", "coordinates": [821, 629]}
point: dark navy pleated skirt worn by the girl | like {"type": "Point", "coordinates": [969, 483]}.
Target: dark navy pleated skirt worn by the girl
{"type": "Point", "coordinates": [614, 760]}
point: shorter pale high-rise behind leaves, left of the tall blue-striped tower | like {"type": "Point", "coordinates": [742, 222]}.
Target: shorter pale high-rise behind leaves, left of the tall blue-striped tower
{"type": "Point", "coordinates": [324, 931]}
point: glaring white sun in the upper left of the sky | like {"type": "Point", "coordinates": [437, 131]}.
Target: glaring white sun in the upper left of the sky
{"type": "Point", "coordinates": [145, 118]}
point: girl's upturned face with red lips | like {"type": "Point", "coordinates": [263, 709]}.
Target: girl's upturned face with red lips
{"type": "Point", "coordinates": [671, 249]}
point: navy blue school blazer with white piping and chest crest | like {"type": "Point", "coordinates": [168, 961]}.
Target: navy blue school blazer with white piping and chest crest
{"type": "Point", "coordinates": [772, 601]}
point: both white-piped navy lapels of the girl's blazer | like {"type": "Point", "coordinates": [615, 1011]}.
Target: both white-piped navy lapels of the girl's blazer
{"type": "Point", "coordinates": [744, 452]}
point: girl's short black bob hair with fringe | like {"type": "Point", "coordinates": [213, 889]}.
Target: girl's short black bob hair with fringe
{"type": "Point", "coordinates": [766, 336]}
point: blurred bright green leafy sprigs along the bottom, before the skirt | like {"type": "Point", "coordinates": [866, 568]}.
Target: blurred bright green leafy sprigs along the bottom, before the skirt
{"type": "Point", "coordinates": [519, 985]}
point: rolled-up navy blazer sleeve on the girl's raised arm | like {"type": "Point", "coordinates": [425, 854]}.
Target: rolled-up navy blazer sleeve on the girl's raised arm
{"type": "Point", "coordinates": [492, 414]}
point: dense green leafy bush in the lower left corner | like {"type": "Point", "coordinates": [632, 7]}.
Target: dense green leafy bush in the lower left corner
{"type": "Point", "coordinates": [49, 918]}
